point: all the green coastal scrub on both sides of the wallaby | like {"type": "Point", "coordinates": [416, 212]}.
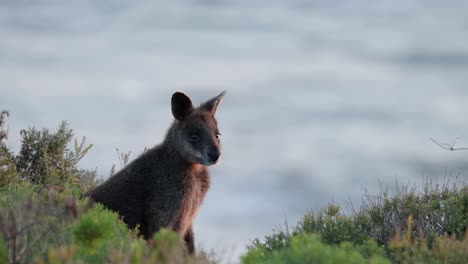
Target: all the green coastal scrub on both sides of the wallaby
{"type": "Point", "coordinates": [45, 218]}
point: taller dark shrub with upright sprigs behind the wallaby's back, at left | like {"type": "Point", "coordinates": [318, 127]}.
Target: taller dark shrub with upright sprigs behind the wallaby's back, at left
{"type": "Point", "coordinates": [44, 158]}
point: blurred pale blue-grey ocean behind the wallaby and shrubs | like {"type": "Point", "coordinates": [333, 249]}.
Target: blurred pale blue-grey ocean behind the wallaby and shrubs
{"type": "Point", "coordinates": [324, 97]}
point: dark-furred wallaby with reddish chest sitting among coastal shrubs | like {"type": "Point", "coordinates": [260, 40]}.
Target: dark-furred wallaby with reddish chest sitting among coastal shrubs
{"type": "Point", "coordinates": [165, 186]}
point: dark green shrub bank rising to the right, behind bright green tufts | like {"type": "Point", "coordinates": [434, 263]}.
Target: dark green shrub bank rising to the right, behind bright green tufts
{"type": "Point", "coordinates": [438, 216]}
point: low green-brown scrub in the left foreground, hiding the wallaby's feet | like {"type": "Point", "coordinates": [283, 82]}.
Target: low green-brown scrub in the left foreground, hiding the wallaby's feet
{"type": "Point", "coordinates": [53, 226]}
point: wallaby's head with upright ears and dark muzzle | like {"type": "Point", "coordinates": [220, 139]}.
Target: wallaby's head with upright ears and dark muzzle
{"type": "Point", "coordinates": [195, 133]}
